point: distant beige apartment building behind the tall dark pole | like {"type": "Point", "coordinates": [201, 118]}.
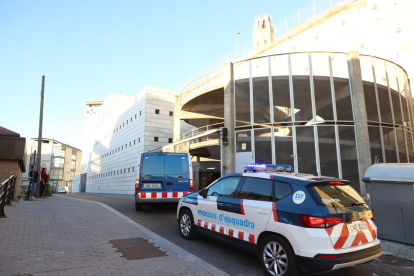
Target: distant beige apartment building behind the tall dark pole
{"type": "Point", "coordinates": [62, 161]}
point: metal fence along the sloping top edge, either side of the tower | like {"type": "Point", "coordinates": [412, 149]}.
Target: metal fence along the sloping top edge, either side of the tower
{"type": "Point", "coordinates": [308, 15]}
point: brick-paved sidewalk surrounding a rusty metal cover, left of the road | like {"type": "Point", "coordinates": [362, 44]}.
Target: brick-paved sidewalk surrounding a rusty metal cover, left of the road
{"type": "Point", "coordinates": [65, 236]}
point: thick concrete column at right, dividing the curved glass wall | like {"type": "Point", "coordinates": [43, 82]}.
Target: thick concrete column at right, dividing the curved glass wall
{"type": "Point", "coordinates": [360, 117]}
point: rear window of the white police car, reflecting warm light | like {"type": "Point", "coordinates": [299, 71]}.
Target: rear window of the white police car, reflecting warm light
{"type": "Point", "coordinates": [337, 196]}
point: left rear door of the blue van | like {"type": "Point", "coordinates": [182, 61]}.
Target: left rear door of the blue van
{"type": "Point", "coordinates": [152, 173]}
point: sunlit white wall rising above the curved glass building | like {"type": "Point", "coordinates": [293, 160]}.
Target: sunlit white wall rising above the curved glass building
{"type": "Point", "coordinates": [381, 28]}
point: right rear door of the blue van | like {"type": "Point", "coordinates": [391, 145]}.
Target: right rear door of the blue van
{"type": "Point", "coordinates": [177, 172]}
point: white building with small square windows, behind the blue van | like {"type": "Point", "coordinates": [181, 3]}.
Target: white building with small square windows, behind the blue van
{"type": "Point", "coordinates": [119, 128]}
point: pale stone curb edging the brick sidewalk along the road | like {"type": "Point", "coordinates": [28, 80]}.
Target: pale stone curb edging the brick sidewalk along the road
{"type": "Point", "coordinates": [162, 241]}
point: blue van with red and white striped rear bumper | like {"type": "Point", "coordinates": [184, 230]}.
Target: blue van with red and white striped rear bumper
{"type": "Point", "coordinates": [162, 177]}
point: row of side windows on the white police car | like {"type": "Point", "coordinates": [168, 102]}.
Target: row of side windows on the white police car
{"type": "Point", "coordinates": [252, 188]}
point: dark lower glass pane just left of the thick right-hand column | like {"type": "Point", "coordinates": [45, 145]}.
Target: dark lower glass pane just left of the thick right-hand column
{"type": "Point", "coordinates": [349, 155]}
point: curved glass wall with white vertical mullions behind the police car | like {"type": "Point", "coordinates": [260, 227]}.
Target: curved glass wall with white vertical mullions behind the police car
{"type": "Point", "coordinates": [300, 109]}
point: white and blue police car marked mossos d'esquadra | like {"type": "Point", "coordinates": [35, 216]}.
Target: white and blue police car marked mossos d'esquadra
{"type": "Point", "coordinates": [293, 222]}
